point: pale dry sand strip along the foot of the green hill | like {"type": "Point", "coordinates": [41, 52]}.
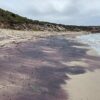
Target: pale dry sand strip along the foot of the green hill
{"type": "Point", "coordinates": [9, 36]}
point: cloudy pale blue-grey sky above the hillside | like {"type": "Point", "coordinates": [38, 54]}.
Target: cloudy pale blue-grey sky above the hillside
{"type": "Point", "coordinates": [69, 12]}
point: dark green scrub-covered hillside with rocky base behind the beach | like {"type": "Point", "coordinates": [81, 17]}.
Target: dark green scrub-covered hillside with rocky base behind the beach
{"type": "Point", "coordinates": [10, 20]}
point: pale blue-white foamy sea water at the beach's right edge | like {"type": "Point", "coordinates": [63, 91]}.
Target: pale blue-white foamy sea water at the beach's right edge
{"type": "Point", "coordinates": [93, 40]}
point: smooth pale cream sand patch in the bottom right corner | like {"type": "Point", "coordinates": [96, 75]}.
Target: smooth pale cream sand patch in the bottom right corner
{"type": "Point", "coordinates": [84, 87]}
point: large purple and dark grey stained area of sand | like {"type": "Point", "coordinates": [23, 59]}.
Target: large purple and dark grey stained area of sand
{"type": "Point", "coordinates": [39, 69]}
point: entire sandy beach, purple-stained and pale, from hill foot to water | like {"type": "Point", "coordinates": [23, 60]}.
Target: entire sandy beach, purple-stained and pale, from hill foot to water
{"type": "Point", "coordinates": [54, 67]}
